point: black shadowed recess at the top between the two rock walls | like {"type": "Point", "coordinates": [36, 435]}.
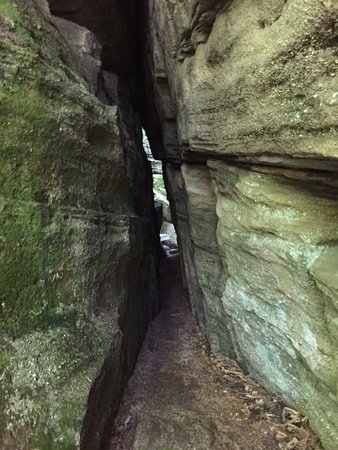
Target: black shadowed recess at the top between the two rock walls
{"type": "Point", "coordinates": [119, 26]}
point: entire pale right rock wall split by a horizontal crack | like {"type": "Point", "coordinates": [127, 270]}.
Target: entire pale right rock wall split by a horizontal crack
{"type": "Point", "coordinates": [245, 95]}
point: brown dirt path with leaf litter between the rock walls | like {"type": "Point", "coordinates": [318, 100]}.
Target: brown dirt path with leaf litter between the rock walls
{"type": "Point", "coordinates": [182, 398]}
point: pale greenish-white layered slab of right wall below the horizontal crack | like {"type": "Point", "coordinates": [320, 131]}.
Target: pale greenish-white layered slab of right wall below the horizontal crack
{"type": "Point", "coordinates": [278, 231]}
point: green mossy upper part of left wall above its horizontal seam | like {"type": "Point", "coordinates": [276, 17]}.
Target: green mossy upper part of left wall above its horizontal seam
{"type": "Point", "coordinates": [43, 115]}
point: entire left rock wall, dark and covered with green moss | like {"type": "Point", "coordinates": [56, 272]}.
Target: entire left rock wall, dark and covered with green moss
{"type": "Point", "coordinates": [77, 250]}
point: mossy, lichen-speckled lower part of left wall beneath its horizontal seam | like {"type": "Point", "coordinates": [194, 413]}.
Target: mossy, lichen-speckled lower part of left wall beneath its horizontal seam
{"type": "Point", "coordinates": [57, 344]}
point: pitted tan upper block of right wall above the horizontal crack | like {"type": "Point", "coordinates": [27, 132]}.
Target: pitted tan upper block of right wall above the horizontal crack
{"type": "Point", "coordinates": [264, 83]}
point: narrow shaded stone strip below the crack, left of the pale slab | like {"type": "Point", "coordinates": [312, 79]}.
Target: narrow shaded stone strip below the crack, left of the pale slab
{"type": "Point", "coordinates": [211, 272]}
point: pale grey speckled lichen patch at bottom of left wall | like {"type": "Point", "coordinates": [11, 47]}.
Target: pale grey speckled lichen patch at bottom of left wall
{"type": "Point", "coordinates": [50, 375]}
